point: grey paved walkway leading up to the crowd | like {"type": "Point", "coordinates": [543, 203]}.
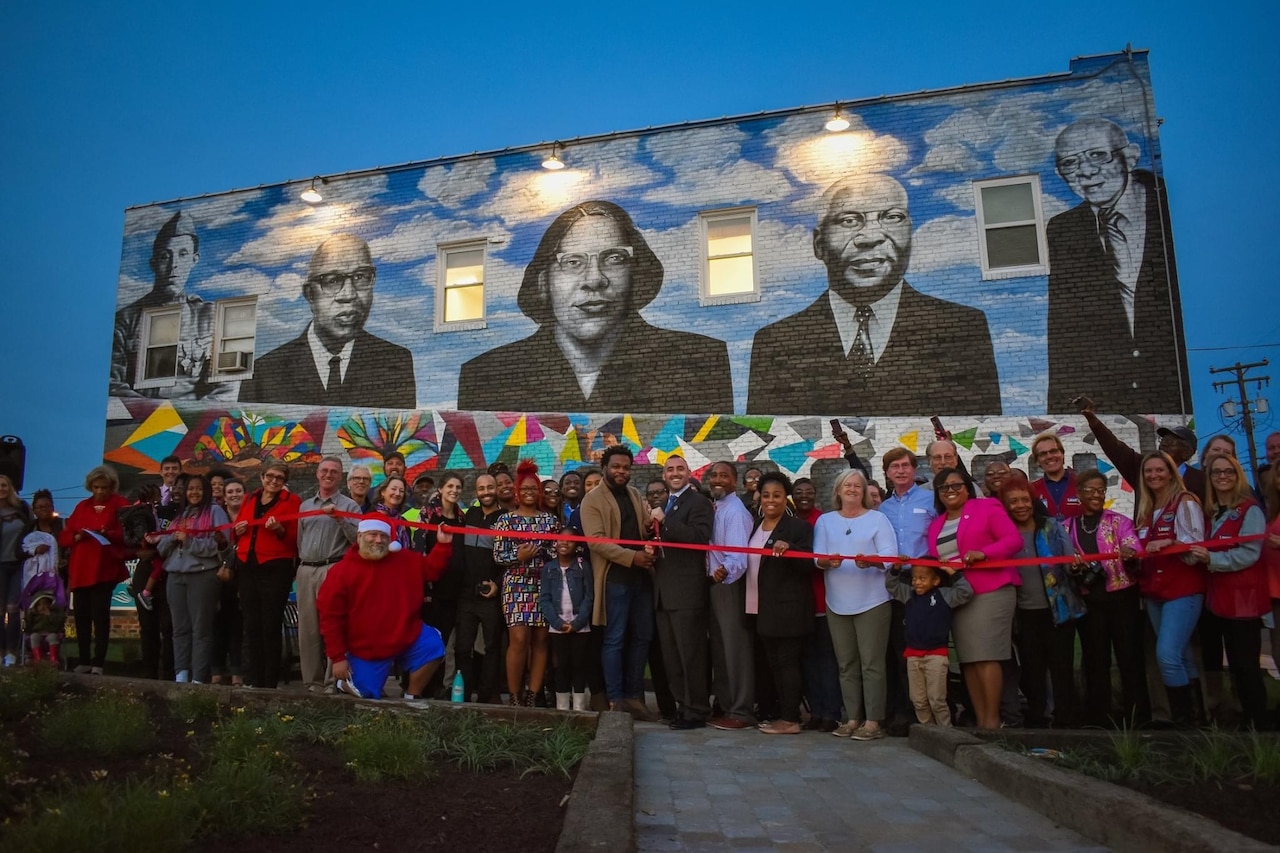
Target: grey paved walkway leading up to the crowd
{"type": "Point", "coordinates": [721, 791]}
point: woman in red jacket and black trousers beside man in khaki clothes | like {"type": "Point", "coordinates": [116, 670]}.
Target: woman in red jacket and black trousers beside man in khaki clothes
{"type": "Point", "coordinates": [267, 550]}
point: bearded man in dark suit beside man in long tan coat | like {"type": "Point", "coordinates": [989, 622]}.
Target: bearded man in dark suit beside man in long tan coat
{"type": "Point", "coordinates": [683, 594]}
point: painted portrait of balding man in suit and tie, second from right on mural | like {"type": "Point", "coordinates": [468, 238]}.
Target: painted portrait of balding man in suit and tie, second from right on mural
{"type": "Point", "coordinates": [872, 345]}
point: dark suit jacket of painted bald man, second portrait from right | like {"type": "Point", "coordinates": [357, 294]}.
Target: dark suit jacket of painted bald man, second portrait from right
{"type": "Point", "coordinates": [939, 362]}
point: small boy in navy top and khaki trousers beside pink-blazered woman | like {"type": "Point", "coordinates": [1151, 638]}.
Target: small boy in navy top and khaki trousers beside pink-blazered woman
{"type": "Point", "coordinates": [929, 608]}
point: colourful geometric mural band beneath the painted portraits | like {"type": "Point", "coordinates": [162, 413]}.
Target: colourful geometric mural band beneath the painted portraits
{"type": "Point", "coordinates": [211, 436]}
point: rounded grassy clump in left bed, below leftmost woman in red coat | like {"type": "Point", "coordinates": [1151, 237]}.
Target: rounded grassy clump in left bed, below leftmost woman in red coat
{"type": "Point", "coordinates": [103, 726]}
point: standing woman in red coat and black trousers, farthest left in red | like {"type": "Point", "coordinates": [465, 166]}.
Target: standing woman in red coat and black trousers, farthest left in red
{"type": "Point", "coordinates": [97, 542]}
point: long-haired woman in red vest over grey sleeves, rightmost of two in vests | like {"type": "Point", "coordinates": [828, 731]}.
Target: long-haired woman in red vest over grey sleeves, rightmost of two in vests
{"type": "Point", "coordinates": [1237, 594]}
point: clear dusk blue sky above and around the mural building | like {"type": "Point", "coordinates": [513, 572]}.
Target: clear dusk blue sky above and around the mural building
{"type": "Point", "coordinates": [108, 110]}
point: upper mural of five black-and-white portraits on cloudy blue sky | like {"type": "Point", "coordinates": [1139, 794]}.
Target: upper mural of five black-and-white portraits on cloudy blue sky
{"type": "Point", "coordinates": [760, 267]}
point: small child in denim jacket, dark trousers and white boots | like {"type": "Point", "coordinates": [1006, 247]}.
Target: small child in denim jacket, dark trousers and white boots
{"type": "Point", "coordinates": [566, 600]}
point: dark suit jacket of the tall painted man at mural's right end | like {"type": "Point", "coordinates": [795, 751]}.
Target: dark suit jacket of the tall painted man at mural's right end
{"type": "Point", "coordinates": [1091, 350]}
